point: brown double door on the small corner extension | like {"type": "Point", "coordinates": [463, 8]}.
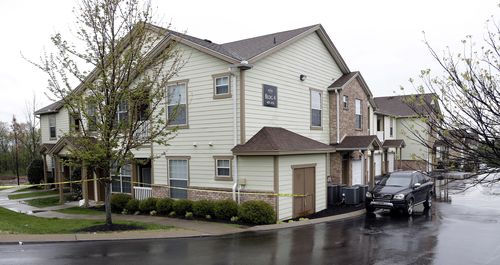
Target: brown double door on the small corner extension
{"type": "Point", "coordinates": [303, 183]}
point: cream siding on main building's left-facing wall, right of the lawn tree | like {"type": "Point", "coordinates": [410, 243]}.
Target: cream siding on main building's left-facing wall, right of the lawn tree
{"type": "Point", "coordinates": [210, 123]}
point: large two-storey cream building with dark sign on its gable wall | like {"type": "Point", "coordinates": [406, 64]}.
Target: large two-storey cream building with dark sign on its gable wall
{"type": "Point", "coordinates": [275, 114]}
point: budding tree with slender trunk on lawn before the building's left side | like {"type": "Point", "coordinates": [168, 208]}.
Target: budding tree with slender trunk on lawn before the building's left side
{"type": "Point", "coordinates": [119, 105]}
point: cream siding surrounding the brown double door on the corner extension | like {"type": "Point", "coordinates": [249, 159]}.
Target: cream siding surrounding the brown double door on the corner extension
{"type": "Point", "coordinates": [286, 179]}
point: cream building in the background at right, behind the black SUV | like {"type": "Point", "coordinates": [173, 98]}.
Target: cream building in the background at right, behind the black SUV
{"type": "Point", "coordinates": [399, 125]}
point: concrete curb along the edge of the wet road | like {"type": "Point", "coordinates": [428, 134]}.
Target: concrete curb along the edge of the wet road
{"type": "Point", "coordinates": [152, 234]}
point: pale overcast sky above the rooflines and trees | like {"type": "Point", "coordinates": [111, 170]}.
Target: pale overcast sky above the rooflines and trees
{"type": "Point", "coordinates": [382, 39]}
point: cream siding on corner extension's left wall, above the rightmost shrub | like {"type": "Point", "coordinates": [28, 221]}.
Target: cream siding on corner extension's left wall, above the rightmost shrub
{"type": "Point", "coordinates": [258, 171]}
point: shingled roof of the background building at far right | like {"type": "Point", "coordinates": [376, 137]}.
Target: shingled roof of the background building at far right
{"type": "Point", "coordinates": [397, 105]}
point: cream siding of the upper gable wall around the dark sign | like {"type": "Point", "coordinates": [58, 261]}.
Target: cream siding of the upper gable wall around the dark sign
{"type": "Point", "coordinates": [282, 69]}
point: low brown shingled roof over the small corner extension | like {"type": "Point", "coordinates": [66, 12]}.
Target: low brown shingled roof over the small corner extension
{"type": "Point", "coordinates": [276, 140]}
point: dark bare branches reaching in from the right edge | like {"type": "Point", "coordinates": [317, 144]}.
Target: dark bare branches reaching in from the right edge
{"type": "Point", "coordinates": [466, 130]}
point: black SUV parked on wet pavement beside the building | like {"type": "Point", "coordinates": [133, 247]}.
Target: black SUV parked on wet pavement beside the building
{"type": "Point", "coordinates": [400, 190]}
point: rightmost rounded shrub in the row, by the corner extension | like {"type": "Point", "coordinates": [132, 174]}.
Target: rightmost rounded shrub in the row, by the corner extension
{"type": "Point", "coordinates": [257, 212]}
